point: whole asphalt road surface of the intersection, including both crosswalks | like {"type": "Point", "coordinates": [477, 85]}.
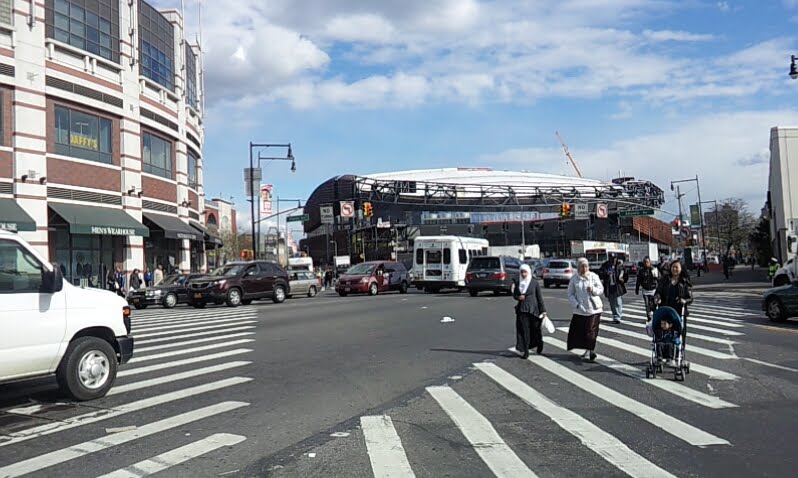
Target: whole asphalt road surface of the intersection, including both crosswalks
{"type": "Point", "coordinates": [363, 386]}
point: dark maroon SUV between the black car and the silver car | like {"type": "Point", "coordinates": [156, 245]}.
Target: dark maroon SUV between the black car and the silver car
{"type": "Point", "coordinates": [237, 283]}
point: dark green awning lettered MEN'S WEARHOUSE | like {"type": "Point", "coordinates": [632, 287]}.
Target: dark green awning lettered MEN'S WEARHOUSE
{"type": "Point", "coordinates": [101, 221]}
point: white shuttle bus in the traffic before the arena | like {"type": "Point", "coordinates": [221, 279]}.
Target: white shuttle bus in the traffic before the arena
{"type": "Point", "coordinates": [440, 262]}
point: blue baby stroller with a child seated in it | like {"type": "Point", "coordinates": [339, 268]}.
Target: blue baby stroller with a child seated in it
{"type": "Point", "coordinates": [668, 345]}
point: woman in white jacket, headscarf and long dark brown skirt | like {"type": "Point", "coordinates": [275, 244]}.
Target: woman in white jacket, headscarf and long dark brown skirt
{"type": "Point", "coordinates": [584, 294]}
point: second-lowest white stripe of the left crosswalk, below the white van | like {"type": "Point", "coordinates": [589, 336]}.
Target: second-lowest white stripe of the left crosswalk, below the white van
{"type": "Point", "coordinates": [77, 451]}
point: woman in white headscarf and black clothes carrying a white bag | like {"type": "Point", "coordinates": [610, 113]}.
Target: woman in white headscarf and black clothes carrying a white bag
{"type": "Point", "coordinates": [529, 313]}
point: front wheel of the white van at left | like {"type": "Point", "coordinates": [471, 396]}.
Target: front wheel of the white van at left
{"type": "Point", "coordinates": [88, 369]}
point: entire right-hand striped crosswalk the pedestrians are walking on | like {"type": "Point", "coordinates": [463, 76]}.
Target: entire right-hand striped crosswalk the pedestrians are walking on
{"type": "Point", "coordinates": [714, 329]}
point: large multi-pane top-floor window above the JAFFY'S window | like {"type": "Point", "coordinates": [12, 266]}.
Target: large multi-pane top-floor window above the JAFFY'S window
{"type": "Point", "coordinates": [91, 25]}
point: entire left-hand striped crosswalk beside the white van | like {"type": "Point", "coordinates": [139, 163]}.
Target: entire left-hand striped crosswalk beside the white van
{"type": "Point", "coordinates": [180, 355]}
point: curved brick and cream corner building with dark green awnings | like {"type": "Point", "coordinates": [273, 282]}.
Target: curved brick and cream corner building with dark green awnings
{"type": "Point", "coordinates": [101, 134]}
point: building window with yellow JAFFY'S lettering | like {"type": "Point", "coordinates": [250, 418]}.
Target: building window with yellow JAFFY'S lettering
{"type": "Point", "coordinates": [82, 135]}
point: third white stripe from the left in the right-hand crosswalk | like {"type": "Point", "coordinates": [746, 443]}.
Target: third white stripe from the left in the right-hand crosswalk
{"type": "Point", "coordinates": [594, 438]}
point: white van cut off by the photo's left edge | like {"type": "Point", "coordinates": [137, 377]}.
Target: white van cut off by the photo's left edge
{"type": "Point", "coordinates": [48, 326]}
